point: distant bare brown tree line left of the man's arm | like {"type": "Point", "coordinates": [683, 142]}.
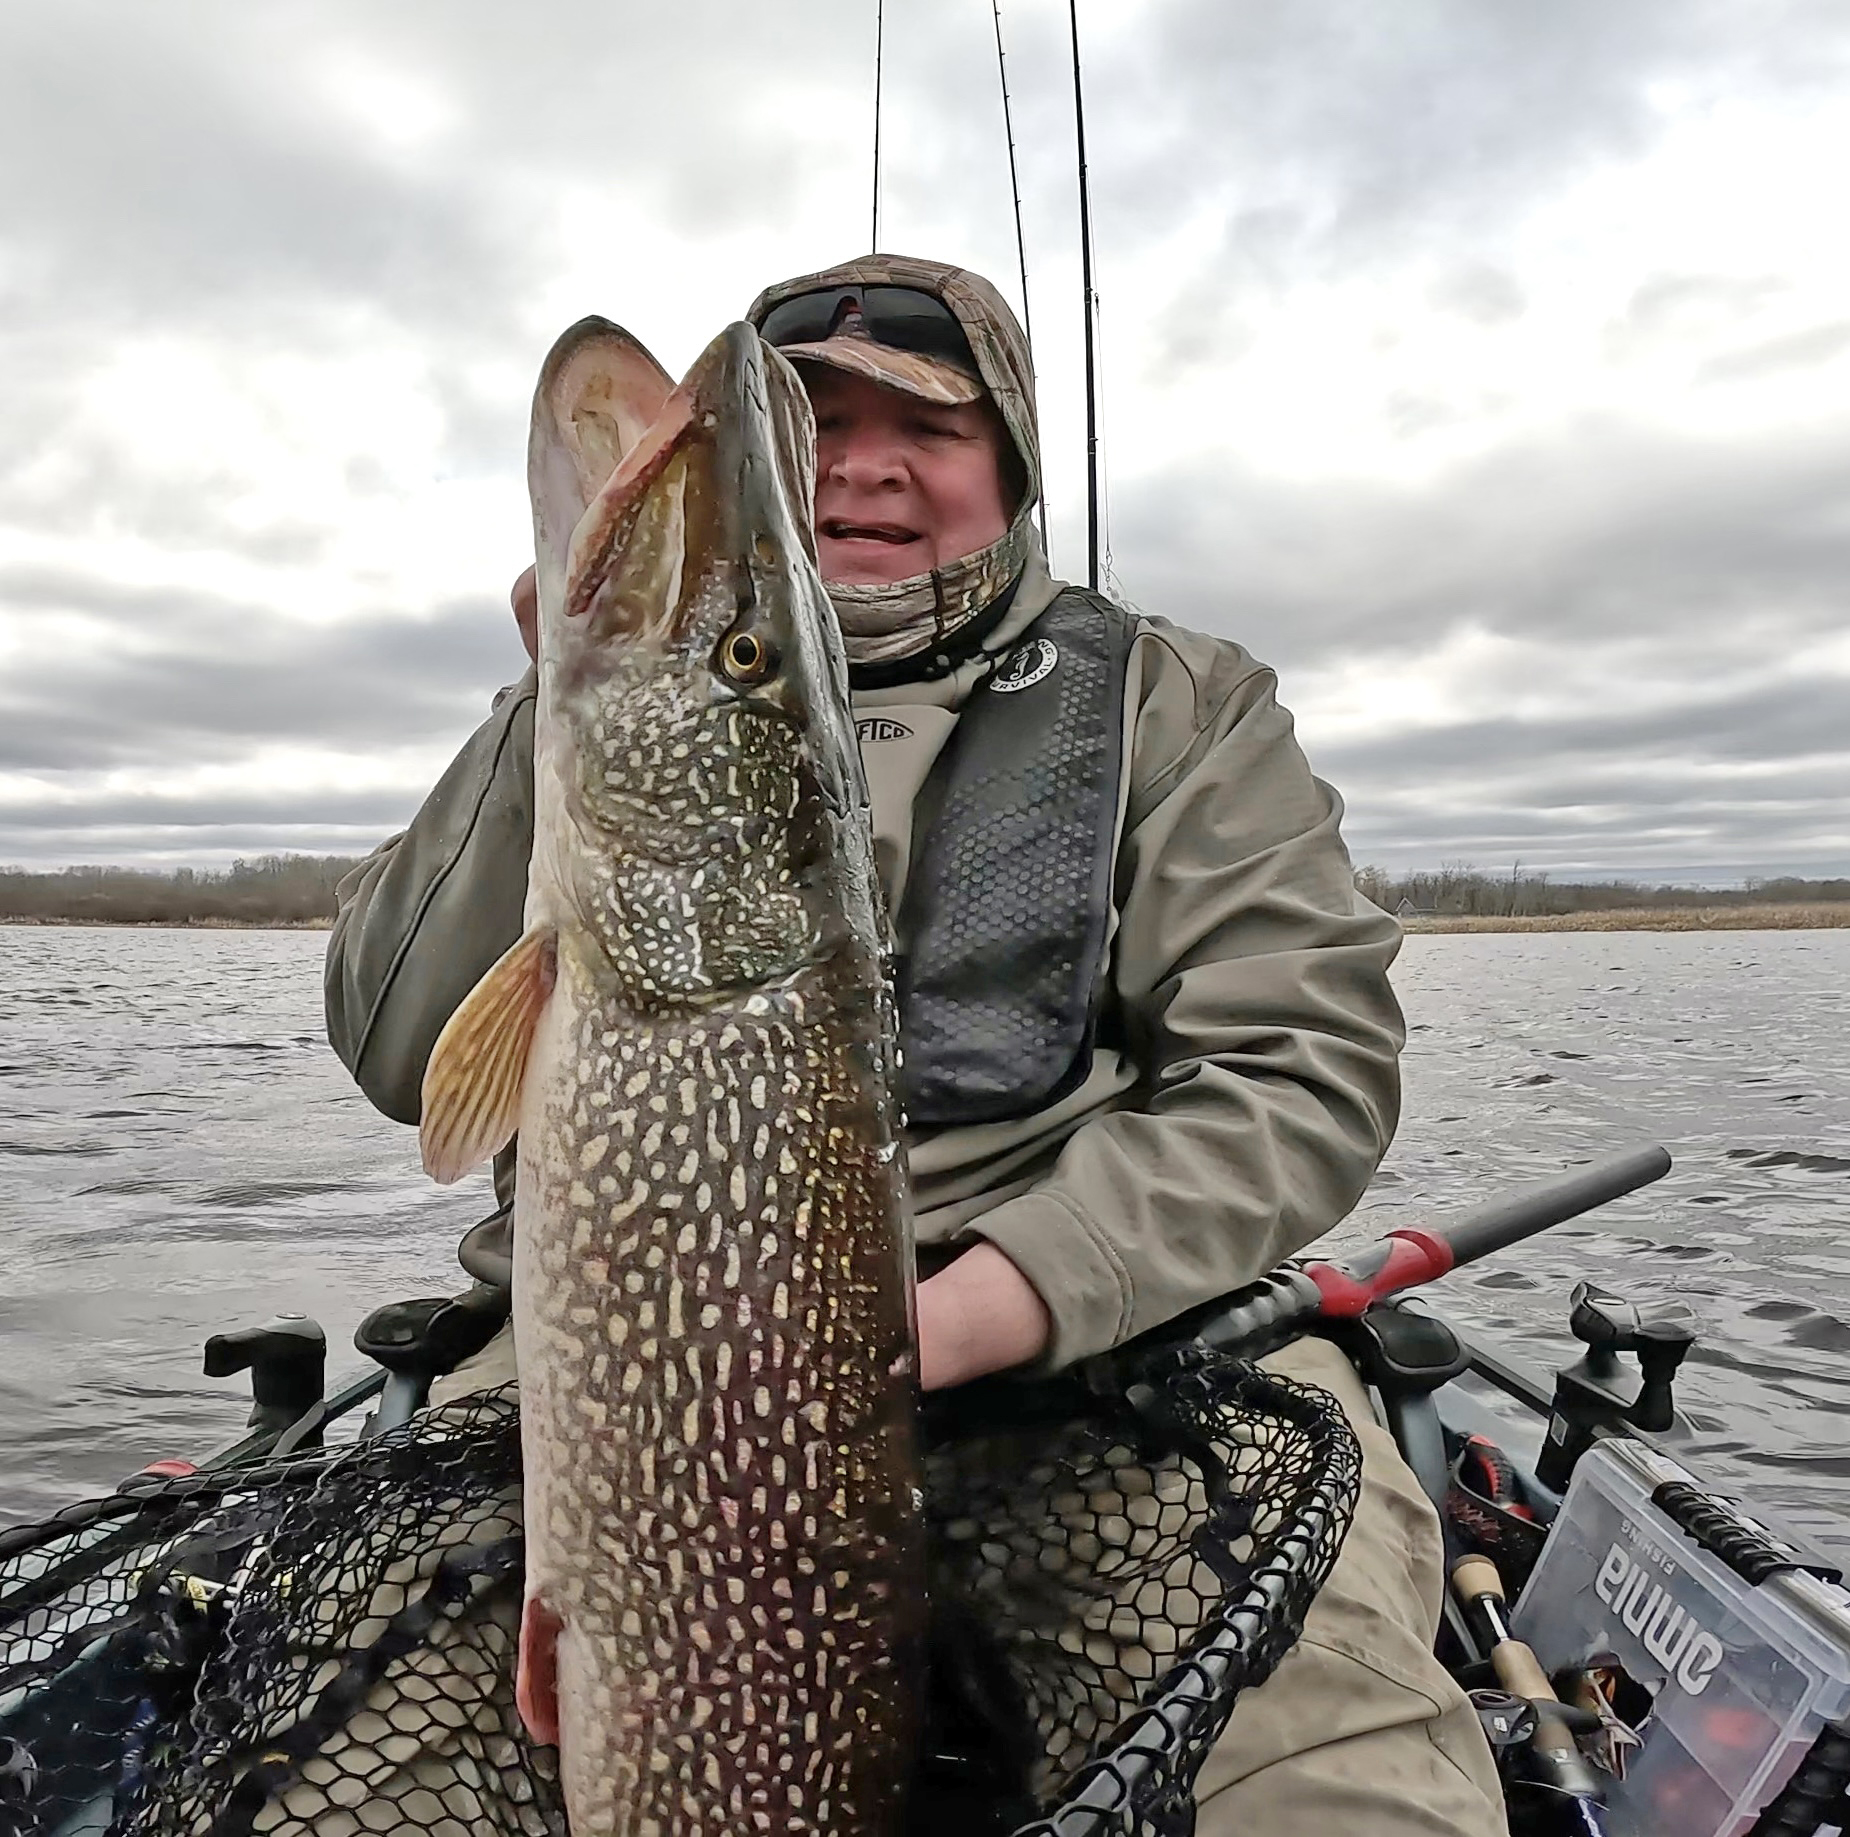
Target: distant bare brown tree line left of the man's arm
{"type": "Point", "coordinates": [269, 891]}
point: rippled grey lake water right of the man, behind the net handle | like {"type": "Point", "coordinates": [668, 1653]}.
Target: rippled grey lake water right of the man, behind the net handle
{"type": "Point", "coordinates": [1533, 1050]}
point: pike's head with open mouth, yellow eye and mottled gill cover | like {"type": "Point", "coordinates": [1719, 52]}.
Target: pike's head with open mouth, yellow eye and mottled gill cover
{"type": "Point", "coordinates": [700, 813]}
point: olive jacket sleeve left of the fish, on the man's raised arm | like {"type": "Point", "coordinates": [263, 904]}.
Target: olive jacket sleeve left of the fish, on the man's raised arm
{"type": "Point", "coordinates": [425, 917]}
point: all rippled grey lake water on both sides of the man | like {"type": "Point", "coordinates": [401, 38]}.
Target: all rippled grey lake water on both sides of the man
{"type": "Point", "coordinates": [180, 1152]}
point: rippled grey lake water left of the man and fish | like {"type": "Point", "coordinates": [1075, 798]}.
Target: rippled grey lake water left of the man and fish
{"type": "Point", "coordinates": [180, 1153]}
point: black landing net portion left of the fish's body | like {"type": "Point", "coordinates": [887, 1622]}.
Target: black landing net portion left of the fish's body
{"type": "Point", "coordinates": [323, 1646]}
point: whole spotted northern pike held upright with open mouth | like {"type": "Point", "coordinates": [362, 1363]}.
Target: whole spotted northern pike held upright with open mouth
{"type": "Point", "coordinates": [695, 1039]}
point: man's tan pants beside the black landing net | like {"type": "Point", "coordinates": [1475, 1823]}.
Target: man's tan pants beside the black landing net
{"type": "Point", "coordinates": [1361, 1731]}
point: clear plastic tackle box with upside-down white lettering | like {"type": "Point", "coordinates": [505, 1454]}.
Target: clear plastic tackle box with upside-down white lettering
{"type": "Point", "coordinates": [1649, 1572]}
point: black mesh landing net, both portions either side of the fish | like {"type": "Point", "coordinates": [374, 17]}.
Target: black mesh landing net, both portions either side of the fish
{"type": "Point", "coordinates": [328, 1644]}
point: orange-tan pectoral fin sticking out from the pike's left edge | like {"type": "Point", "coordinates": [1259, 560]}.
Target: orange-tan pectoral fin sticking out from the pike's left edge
{"type": "Point", "coordinates": [480, 1061]}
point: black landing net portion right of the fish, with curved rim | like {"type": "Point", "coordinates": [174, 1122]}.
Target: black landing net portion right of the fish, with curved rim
{"type": "Point", "coordinates": [1131, 1568]}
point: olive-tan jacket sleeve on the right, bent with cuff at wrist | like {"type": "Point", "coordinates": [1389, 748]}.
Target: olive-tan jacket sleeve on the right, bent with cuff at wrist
{"type": "Point", "coordinates": [1252, 994]}
